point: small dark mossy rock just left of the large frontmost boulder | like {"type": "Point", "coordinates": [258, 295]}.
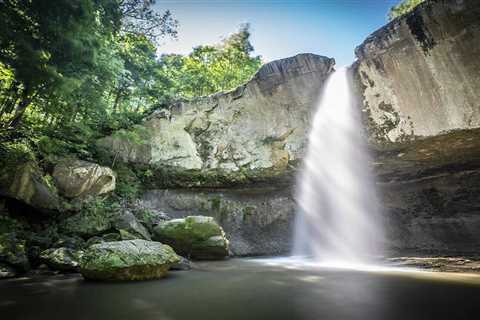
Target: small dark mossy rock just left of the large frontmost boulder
{"type": "Point", "coordinates": [64, 259]}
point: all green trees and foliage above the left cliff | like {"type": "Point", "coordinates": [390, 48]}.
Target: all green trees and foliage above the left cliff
{"type": "Point", "coordinates": [77, 70]}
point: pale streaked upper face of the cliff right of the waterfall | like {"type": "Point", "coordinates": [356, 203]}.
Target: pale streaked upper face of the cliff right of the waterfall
{"type": "Point", "coordinates": [420, 74]}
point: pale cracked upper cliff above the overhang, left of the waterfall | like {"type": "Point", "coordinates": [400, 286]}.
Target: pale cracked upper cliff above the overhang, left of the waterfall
{"type": "Point", "coordinates": [249, 134]}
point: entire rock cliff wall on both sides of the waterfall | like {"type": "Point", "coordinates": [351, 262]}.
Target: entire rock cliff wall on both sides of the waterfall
{"type": "Point", "coordinates": [233, 155]}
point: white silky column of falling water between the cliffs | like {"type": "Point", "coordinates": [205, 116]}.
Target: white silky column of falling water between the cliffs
{"type": "Point", "coordinates": [338, 220]}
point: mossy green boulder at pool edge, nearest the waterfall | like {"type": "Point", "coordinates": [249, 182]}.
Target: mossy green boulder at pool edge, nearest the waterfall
{"type": "Point", "coordinates": [196, 237]}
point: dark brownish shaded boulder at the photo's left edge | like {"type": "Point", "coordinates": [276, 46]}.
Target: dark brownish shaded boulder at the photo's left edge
{"type": "Point", "coordinates": [26, 182]}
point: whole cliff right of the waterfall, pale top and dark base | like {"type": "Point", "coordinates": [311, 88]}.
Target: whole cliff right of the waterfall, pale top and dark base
{"type": "Point", "coordinates": [419, 84]}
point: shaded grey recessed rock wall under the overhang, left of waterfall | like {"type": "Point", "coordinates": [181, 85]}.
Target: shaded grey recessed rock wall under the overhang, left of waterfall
{"type": "Point", "coordinates": [257, 221]}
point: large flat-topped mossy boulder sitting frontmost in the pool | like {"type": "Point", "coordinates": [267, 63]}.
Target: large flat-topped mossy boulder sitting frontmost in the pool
{"type": "Point", "coordinates": [127, 260]}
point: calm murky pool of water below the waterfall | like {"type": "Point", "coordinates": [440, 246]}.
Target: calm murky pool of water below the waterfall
{"type": "Point", "coordinates": [278, 289]}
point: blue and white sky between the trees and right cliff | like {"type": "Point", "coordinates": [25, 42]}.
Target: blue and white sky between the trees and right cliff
{"type": "Point", "coordinates": [280, 28]}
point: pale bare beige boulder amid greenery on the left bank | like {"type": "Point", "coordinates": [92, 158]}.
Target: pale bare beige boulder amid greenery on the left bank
{"type": "Point", "coordinates": [77, 178]}
